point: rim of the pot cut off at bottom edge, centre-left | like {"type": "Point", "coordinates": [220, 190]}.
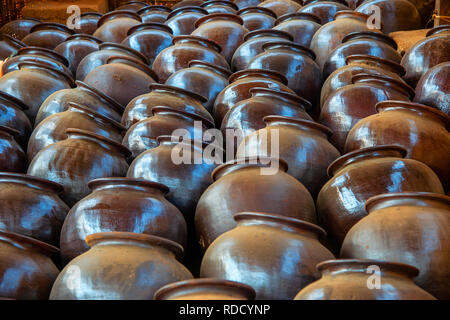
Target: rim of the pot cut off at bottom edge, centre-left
{"type": "Point", "coordinates": [205, 283]}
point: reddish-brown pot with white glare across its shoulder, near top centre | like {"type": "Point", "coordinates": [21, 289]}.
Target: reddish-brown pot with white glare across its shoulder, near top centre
{"type": "Point", "coordinates": [225, 29]}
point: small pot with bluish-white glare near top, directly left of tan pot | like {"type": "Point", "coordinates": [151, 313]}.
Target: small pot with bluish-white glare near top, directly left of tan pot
{"type": "Point", "coordinates": [301, 26]}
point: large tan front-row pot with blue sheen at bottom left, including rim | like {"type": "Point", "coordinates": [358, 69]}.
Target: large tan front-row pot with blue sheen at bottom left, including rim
{"type": "Point", "coordinates": [121, 266]}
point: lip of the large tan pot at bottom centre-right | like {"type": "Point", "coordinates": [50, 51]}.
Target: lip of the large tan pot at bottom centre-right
{"type": "Point", "coordinates": [293, 222]}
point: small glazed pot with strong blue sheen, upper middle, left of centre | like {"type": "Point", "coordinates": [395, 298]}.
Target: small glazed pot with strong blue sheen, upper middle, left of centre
{"type": "Point", "coordinates": [202, 78]}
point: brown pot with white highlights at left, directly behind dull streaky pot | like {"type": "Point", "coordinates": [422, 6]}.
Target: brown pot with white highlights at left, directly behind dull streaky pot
{"type": "Point", "coordinates": [53, 128]}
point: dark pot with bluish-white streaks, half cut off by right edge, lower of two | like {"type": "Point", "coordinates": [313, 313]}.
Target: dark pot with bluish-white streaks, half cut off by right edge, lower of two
{"type": "Point", "coordinates": [433, 88]}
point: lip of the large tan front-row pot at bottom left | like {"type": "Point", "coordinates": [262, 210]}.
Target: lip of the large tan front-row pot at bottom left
{"type": "Point", "coordinates": [170, 245]}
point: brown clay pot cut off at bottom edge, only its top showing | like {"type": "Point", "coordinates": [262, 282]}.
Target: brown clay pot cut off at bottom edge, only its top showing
{"type": "Point", "coordinates": [205, 289]}
